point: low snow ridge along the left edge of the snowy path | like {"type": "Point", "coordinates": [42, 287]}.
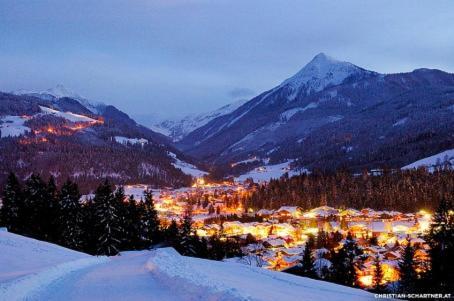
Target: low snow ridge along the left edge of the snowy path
{"type": "Point", "coordinates": [23, 288]}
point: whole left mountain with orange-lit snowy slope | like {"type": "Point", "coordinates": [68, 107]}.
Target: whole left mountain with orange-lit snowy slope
{"type": "Point", "coordinates": [59, 136]}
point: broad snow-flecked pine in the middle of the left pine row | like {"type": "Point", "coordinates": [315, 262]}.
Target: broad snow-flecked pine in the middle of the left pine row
{"type": "Point", "coordinates": [106, 228]}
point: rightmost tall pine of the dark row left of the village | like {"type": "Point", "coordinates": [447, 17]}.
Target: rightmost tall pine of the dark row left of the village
{"type": "Point", "coordinates": [150, 221]}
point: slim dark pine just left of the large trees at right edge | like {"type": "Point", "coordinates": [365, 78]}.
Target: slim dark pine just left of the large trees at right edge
{"type": "Point", "coordinates": [407, 269]}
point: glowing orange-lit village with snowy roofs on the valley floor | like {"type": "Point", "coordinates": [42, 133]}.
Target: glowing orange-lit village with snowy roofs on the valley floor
{"type": "Point", "coordinates": [275, 239]}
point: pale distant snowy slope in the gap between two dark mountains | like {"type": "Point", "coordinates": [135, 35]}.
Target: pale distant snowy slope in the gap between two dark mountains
{"type": "Point", "coordinates": [178, 129]}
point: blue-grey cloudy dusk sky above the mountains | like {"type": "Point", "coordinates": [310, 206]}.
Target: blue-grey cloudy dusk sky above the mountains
{"type": "Point", "coordinates": [168, 58]}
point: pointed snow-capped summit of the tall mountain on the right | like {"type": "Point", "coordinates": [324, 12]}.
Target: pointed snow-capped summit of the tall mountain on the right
{"type": "Point", "coordinates": [322, 71]}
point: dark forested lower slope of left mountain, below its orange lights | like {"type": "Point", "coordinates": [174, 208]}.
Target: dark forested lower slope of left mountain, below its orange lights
{"type": "Point", "coordinates": [86, 159]}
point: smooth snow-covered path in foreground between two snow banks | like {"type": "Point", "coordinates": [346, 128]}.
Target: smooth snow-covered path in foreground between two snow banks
{"type": "Point", "coordinates": [122, 278]}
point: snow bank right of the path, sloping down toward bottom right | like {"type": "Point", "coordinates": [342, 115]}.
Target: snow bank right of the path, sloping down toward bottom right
{"type": "Point", "coordinates": [216, 280]}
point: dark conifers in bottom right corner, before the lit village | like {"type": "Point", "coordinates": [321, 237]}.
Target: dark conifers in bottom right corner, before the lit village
{"type": "Point", "coordinates": [416, 276]}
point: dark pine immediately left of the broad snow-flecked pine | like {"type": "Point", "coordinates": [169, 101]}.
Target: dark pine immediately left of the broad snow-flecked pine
{"type": "Point", "coordinates": [71, 216]}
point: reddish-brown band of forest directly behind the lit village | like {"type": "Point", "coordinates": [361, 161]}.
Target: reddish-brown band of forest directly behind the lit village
{"type": "Point", "coordinates": [402, 190]}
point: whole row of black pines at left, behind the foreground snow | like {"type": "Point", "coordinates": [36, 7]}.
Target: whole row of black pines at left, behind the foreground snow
{"type": "Point", "coordinates": [108, 223]}
